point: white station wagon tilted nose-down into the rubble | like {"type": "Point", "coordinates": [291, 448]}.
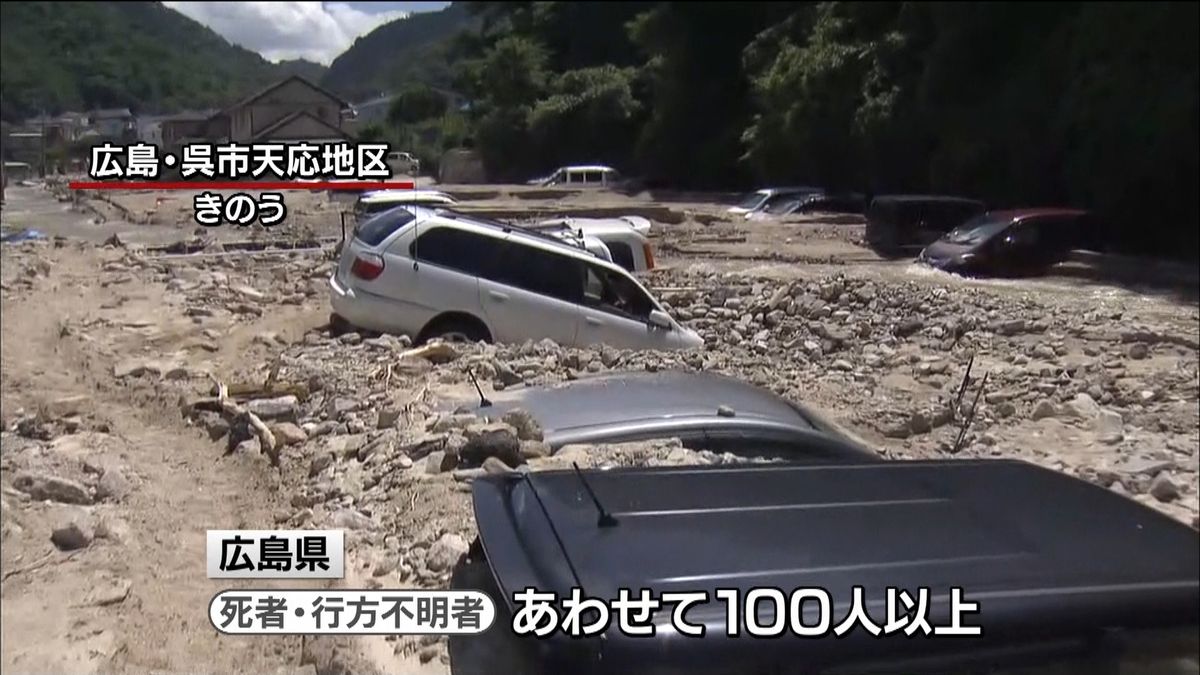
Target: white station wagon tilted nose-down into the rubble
{"type": "Point", "coordinates": [435, 273]}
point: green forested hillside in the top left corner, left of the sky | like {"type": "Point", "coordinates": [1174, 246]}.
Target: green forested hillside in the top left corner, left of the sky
{"type": "Point", "coordinates": [142, 56]}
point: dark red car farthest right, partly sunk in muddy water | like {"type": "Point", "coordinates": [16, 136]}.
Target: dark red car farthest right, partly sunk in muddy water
{"type": "Point", "coordinates": [1012, 243]}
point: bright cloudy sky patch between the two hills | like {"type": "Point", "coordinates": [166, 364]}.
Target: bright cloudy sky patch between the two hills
{"type": "Point", "coordinates": [317, 32]}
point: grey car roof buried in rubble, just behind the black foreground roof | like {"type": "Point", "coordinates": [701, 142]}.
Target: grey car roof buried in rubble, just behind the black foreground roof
{"type": "Point", "coordinates": [637, 405]}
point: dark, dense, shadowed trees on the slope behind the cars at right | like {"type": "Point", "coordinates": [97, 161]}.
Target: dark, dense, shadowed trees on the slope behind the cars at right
{"type": "Point", "coordinates": [1019, 104]}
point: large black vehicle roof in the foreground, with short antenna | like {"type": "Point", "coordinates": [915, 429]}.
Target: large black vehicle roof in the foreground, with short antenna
{"type": "Point", "coordinates": [1069, 577]}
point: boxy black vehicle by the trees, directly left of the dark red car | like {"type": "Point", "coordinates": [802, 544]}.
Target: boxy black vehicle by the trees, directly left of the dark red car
{"type": "Point", "coordinates": [899, 224]}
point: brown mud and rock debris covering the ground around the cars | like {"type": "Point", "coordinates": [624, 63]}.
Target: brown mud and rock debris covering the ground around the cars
{"type": "Point", "coordinates": [109, 344]}
